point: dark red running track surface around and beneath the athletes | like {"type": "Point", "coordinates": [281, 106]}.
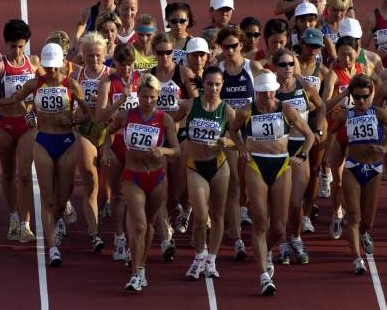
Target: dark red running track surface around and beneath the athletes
{"type": "Point", "coordinates": [93, 281]}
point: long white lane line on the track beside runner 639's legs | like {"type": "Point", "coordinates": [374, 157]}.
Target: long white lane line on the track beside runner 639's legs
{"type": "Point", "coordinates": [40, 249]}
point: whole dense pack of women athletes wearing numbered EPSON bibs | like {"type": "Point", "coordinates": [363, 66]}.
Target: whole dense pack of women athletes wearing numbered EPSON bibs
{"type": "Point", "coordinates": [164, 124]}
